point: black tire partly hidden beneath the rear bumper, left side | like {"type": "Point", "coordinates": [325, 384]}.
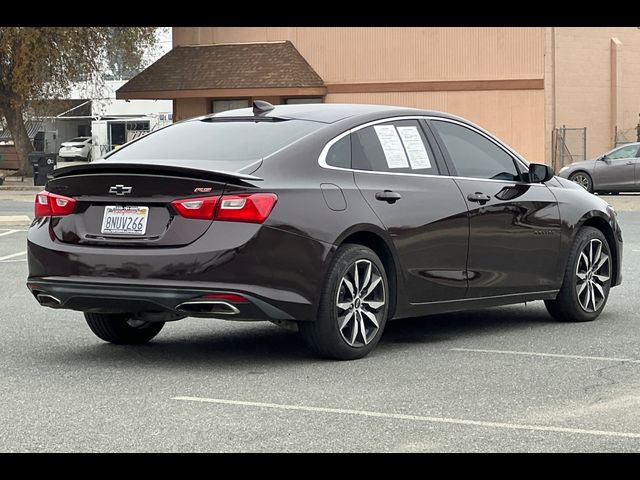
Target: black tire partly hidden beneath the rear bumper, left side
{"type": "Point", "coordinates": [120, 328]}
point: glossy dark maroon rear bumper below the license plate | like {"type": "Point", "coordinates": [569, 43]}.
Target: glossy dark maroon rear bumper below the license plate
{"type": "Point", "coordinates": [279, 273]}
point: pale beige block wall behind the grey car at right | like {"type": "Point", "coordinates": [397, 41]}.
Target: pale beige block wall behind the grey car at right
{"type": "Point", "coordinates": [597, 84]}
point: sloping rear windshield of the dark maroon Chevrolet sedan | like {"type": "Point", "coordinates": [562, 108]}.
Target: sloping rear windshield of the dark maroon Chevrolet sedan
{"type": "Point", "coordinates": [216, 140]}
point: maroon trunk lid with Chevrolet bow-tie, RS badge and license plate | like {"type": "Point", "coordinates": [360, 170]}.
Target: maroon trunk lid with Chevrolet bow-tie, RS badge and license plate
{"type": "Point", "coordinates": [129, 204]}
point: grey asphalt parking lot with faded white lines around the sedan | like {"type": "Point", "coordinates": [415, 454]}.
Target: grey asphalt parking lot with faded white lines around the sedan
{"type": "Point", "coordinates": [498, 380]}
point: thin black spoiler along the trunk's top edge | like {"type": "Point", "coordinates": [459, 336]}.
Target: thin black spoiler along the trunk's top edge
{"type": "Point", "coordinates": [126, 167]}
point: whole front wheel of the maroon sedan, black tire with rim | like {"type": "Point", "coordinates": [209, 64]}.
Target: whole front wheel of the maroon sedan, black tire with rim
{"type": "Point", "coordinates": [569, 305]}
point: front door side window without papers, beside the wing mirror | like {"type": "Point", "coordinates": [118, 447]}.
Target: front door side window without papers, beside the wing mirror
{"type": "Point", "coordinates": [473, 155]}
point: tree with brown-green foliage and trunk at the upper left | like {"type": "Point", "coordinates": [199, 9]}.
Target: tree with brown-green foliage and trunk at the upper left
{"type": "Point", "coordinates": [41, 63]}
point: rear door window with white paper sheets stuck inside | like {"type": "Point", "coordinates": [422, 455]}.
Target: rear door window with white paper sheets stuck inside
{"type": "Point", "coordinates": [398, 147]}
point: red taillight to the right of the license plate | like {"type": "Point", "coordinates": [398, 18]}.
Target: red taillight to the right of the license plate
{"type": "Point", "coordinates": [250, 207]}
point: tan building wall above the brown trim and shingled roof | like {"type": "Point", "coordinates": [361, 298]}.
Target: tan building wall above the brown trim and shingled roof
{"type": "Point", "coordinates": [378, 54]}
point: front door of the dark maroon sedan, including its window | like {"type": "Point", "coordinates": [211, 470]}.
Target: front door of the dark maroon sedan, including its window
{"type": "Point", "coordinates": [514, 226]}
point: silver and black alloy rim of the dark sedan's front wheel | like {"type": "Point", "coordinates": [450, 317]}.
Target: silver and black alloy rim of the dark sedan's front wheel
{"type": "Point", "coordinates": [592, 272]}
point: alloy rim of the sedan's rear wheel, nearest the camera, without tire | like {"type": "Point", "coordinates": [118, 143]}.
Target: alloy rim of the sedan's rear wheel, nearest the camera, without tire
{"type": "Point", "coordinates": [359, 303]}
